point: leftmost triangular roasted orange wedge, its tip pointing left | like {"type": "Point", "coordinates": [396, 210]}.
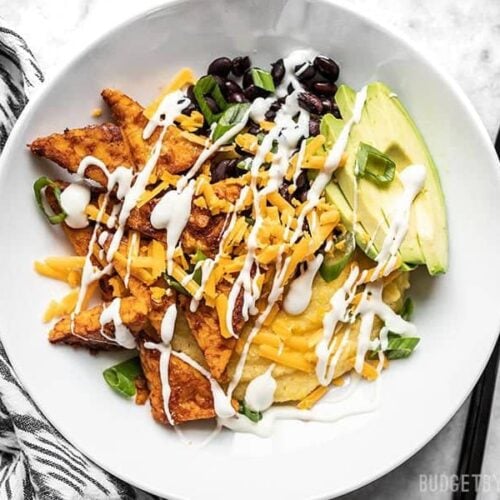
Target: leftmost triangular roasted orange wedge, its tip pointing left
{"type": "Point", "coordinates": [68, 149]}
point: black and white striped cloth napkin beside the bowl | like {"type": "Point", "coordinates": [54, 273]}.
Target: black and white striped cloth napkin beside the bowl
{"type": "Point", "coordinates": [36, 462]}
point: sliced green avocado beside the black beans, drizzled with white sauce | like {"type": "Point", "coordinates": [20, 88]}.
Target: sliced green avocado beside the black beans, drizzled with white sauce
{"type": "Point", "coordinates": [386, 125]}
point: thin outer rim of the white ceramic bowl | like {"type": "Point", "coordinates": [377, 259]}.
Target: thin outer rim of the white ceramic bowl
{"type": "Point", "coordinates": [400, 38]}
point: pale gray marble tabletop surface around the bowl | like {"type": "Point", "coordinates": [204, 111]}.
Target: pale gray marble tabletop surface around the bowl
{"type": "Point", "coordinates": [462, 37]}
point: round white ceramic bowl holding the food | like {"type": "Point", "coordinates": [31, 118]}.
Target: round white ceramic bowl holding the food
{"type": "Point", "coordinates": [457, 315]}
